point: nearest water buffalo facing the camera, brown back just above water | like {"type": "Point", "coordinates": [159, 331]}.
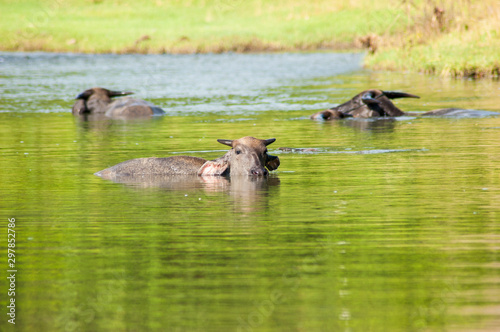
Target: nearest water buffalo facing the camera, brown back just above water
{"type": "Point", "coordinates": [248, 156]}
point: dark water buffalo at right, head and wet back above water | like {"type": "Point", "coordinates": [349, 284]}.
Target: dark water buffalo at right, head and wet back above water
{"type": "Point", "coordinates": [377, 103]}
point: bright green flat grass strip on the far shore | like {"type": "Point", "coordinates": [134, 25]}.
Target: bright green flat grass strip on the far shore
{"type": "Point", "coordinates": [185, 26]}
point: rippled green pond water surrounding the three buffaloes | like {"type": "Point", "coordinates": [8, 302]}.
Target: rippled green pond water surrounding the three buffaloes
{"type": "Point", "coordinates": [389, 225]}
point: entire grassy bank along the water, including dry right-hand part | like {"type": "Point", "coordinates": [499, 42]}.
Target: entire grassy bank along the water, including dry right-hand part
{"type": "Point", "coordinates": [462, 40]}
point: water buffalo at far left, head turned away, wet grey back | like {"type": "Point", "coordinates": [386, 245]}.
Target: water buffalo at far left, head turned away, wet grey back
{"type": "Point", "coordinates": [98, 101]}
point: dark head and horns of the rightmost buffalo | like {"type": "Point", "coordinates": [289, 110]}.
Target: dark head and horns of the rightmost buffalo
{"type": "Point", "coordinates": [367, 104]}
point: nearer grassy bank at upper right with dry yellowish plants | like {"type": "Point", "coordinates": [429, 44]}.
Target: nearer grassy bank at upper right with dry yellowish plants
{"type": "Point", "coordinates": [450, 38]}
